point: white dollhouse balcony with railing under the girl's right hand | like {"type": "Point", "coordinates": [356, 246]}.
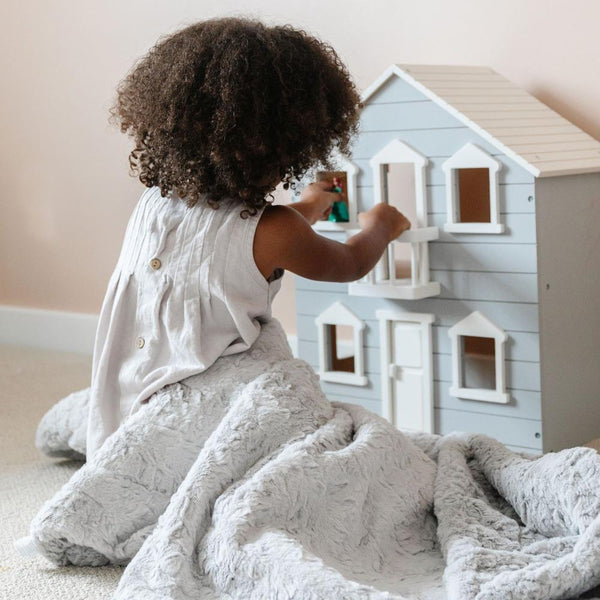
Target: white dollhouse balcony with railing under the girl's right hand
{"type": "Point", "coordinates": [400, 279]}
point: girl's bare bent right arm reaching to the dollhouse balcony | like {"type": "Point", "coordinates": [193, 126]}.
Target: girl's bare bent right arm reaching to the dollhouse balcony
{"type": "Point", "coordinates": [285, 239]}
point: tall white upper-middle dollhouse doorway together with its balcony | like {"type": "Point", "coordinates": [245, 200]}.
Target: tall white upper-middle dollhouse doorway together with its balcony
{"type": "Point", "coordinates": [399, 179]}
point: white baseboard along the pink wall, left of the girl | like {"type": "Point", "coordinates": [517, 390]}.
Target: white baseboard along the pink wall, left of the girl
{"type": "Point", "coordinates": [48, 329]}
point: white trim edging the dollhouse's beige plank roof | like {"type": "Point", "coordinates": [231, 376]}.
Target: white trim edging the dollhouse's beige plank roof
{"type": "Point", "coordinates": [590, 165]}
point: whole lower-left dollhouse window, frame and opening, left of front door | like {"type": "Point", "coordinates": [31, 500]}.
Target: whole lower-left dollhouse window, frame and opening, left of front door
{"type": "Point", "coordinates": [341, 346]}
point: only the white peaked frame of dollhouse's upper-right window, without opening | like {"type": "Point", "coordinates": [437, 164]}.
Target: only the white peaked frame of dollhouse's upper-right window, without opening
{"type": "Point", "coordinates": [471, 156]}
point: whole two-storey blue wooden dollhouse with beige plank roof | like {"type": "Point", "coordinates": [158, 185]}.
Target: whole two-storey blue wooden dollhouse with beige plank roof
{"type": "Point", "coordinates": [485, 315]}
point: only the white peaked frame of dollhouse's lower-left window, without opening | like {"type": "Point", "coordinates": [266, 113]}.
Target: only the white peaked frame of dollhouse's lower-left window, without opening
{"type": "Point", "coordinates": [339, 314]}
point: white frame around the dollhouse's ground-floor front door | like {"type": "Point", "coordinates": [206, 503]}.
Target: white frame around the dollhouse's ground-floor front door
{"type": "Point", "coordinates": [386, 318]}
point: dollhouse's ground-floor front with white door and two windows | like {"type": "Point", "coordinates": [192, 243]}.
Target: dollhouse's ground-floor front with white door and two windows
{"type": "Point", "coordinates": [437, 364]}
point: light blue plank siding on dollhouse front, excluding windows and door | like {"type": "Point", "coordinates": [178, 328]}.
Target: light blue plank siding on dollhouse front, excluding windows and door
{"type": "Point", "coordinates": [496, 274]}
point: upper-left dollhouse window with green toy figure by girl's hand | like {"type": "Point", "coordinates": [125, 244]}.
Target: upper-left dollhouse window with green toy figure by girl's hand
{"type": "Point", "coordinates": [343, 178]}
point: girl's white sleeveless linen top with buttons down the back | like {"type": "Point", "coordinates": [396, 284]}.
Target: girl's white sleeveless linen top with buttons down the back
{"type": "Point", "coordinates": [185, 291]}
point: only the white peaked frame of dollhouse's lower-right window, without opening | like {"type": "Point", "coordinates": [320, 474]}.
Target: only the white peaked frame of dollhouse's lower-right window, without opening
{"type": "Point", "coordinates": [478, 325]}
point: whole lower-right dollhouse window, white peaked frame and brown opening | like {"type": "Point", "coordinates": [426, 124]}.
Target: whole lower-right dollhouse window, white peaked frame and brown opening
{"type": "Point", "coordinates": [478, 366]}
